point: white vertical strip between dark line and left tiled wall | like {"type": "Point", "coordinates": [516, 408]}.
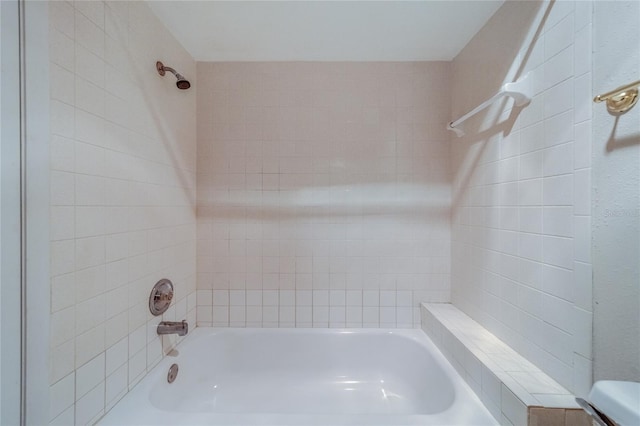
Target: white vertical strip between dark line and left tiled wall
{"type": "Point", "coordinates": [36, 239]}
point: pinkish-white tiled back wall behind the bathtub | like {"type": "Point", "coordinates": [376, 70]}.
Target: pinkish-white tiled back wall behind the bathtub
{"type": "Point", "coordinates": [323, 193]}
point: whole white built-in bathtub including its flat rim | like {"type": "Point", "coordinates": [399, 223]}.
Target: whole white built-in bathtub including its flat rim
{"type": "Point", "coordinates": [302, 377]}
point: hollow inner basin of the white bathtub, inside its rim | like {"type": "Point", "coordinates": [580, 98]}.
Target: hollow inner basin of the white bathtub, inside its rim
{"type": "Point", "coordinates": [267, 371]}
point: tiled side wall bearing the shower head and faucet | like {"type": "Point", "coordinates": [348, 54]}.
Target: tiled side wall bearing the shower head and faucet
{"type": "Point", "coordinates": [122, 199]}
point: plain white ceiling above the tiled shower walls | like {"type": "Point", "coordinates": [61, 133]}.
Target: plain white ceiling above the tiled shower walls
{"type": "Point", "coordinates": [324, 30]}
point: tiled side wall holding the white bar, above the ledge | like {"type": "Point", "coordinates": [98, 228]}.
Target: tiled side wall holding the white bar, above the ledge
{"type": "Point", "coordinates": [521, 225]}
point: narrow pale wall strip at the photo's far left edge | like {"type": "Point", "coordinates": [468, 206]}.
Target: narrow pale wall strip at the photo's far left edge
{"type": "Point", "coordinates": [9, 214]}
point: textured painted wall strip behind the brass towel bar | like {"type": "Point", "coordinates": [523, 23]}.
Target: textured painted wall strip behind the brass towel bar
{"type": "Point", "coordinates": [616, 195]}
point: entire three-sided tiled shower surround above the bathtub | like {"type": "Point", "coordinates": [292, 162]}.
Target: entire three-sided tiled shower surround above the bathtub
{"type": "Point", "coordinates": [313, 194]}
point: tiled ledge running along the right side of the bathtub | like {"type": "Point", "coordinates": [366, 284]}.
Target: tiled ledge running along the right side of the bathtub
{"type": "Point", "coordinates": [514, 390]}
